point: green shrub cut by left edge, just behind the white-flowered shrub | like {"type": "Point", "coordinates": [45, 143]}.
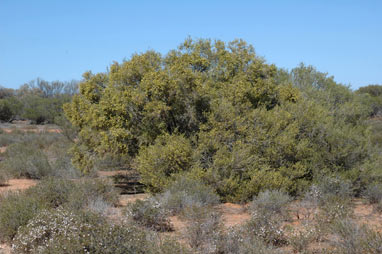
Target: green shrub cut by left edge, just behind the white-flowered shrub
{"type": "Point", "coordinates": [15, 211]}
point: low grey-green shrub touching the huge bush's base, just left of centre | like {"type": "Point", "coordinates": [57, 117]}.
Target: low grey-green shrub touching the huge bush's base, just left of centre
{"type": "Point", "coordinates": [186, 192]}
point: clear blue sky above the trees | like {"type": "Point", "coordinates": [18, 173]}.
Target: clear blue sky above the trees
{"type": "Point", "coordinates": [59, 40]}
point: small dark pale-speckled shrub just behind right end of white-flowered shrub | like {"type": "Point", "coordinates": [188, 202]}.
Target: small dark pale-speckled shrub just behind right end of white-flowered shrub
{"type": "Point", "coordinates": [149, 214]}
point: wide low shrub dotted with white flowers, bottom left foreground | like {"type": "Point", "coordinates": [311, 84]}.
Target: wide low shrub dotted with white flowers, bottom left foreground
{"type": "Point", "coordinates": [63, 231]}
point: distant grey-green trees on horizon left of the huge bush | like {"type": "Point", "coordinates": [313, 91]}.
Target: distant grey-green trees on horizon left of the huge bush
{"type": "Point", "coordinates": [39, 101]}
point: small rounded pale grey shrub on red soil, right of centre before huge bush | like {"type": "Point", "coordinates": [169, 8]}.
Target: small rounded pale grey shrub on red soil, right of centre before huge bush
{"type": "Point", "coordinates": [271, 202]}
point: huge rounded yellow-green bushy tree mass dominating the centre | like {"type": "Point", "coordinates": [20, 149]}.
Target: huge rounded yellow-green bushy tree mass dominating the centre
{"type": "Point", "coordinates": [218, 112]}
